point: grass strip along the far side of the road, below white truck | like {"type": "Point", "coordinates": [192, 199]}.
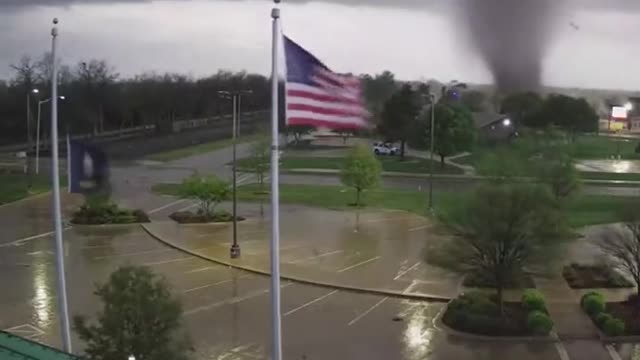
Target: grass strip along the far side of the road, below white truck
{"type": "Point", "coordinates": [389, 163]}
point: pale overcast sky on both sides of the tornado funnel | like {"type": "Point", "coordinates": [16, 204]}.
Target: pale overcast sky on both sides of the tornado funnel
{"type": "Point", "coordinates": [410, 38]}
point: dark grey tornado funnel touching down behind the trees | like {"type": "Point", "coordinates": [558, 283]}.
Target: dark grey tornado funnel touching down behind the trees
{"type": "Point", "coordinates": [512, 36]}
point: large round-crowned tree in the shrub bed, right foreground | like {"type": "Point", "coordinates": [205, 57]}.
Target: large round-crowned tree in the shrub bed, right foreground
{"type": "Point", "coordinates": [500, 232]}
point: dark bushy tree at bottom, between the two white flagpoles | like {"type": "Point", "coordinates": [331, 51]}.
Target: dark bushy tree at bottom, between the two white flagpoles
{"type": "Point", "coordinates": [140, 317]}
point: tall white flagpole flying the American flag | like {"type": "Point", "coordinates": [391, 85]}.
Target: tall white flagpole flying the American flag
{"type": "Point", "coordinates": [276, 328]}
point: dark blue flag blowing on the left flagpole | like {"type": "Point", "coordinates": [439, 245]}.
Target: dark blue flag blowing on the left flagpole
{"type": "Point", "coordinates": [88, 167]}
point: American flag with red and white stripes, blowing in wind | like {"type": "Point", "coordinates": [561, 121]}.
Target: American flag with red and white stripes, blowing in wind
{"type": "Point", "coordinates": [319, 97]}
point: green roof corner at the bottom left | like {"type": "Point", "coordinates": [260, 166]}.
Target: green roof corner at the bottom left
{"type": "Point", "coordinates": [16, 348]}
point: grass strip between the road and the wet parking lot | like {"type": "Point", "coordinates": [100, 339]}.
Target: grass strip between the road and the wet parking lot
{"type": "Point", "coordinates": [582, 211]}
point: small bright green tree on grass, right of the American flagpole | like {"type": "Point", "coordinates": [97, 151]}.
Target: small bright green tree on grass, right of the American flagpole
{"type": "Point", "coordinates": [361, 170]}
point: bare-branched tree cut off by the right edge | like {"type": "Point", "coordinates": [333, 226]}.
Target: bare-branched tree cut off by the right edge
{"type": "Point", "coordinates": [622, 245]}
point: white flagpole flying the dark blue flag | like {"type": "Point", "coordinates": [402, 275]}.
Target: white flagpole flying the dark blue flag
{"type": "Point", "coordinates": [57, 218]}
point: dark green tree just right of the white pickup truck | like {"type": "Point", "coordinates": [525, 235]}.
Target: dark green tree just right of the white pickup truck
{"type": "Point", "coordinates": [399, 116]}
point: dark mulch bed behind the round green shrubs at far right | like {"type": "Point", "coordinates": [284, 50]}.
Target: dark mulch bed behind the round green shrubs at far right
{"type": "Point", "coordinates": [594, 277]}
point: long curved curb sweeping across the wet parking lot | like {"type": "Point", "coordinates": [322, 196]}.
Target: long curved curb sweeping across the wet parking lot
{"type": "Point", "coordinates": [362, 290]}
